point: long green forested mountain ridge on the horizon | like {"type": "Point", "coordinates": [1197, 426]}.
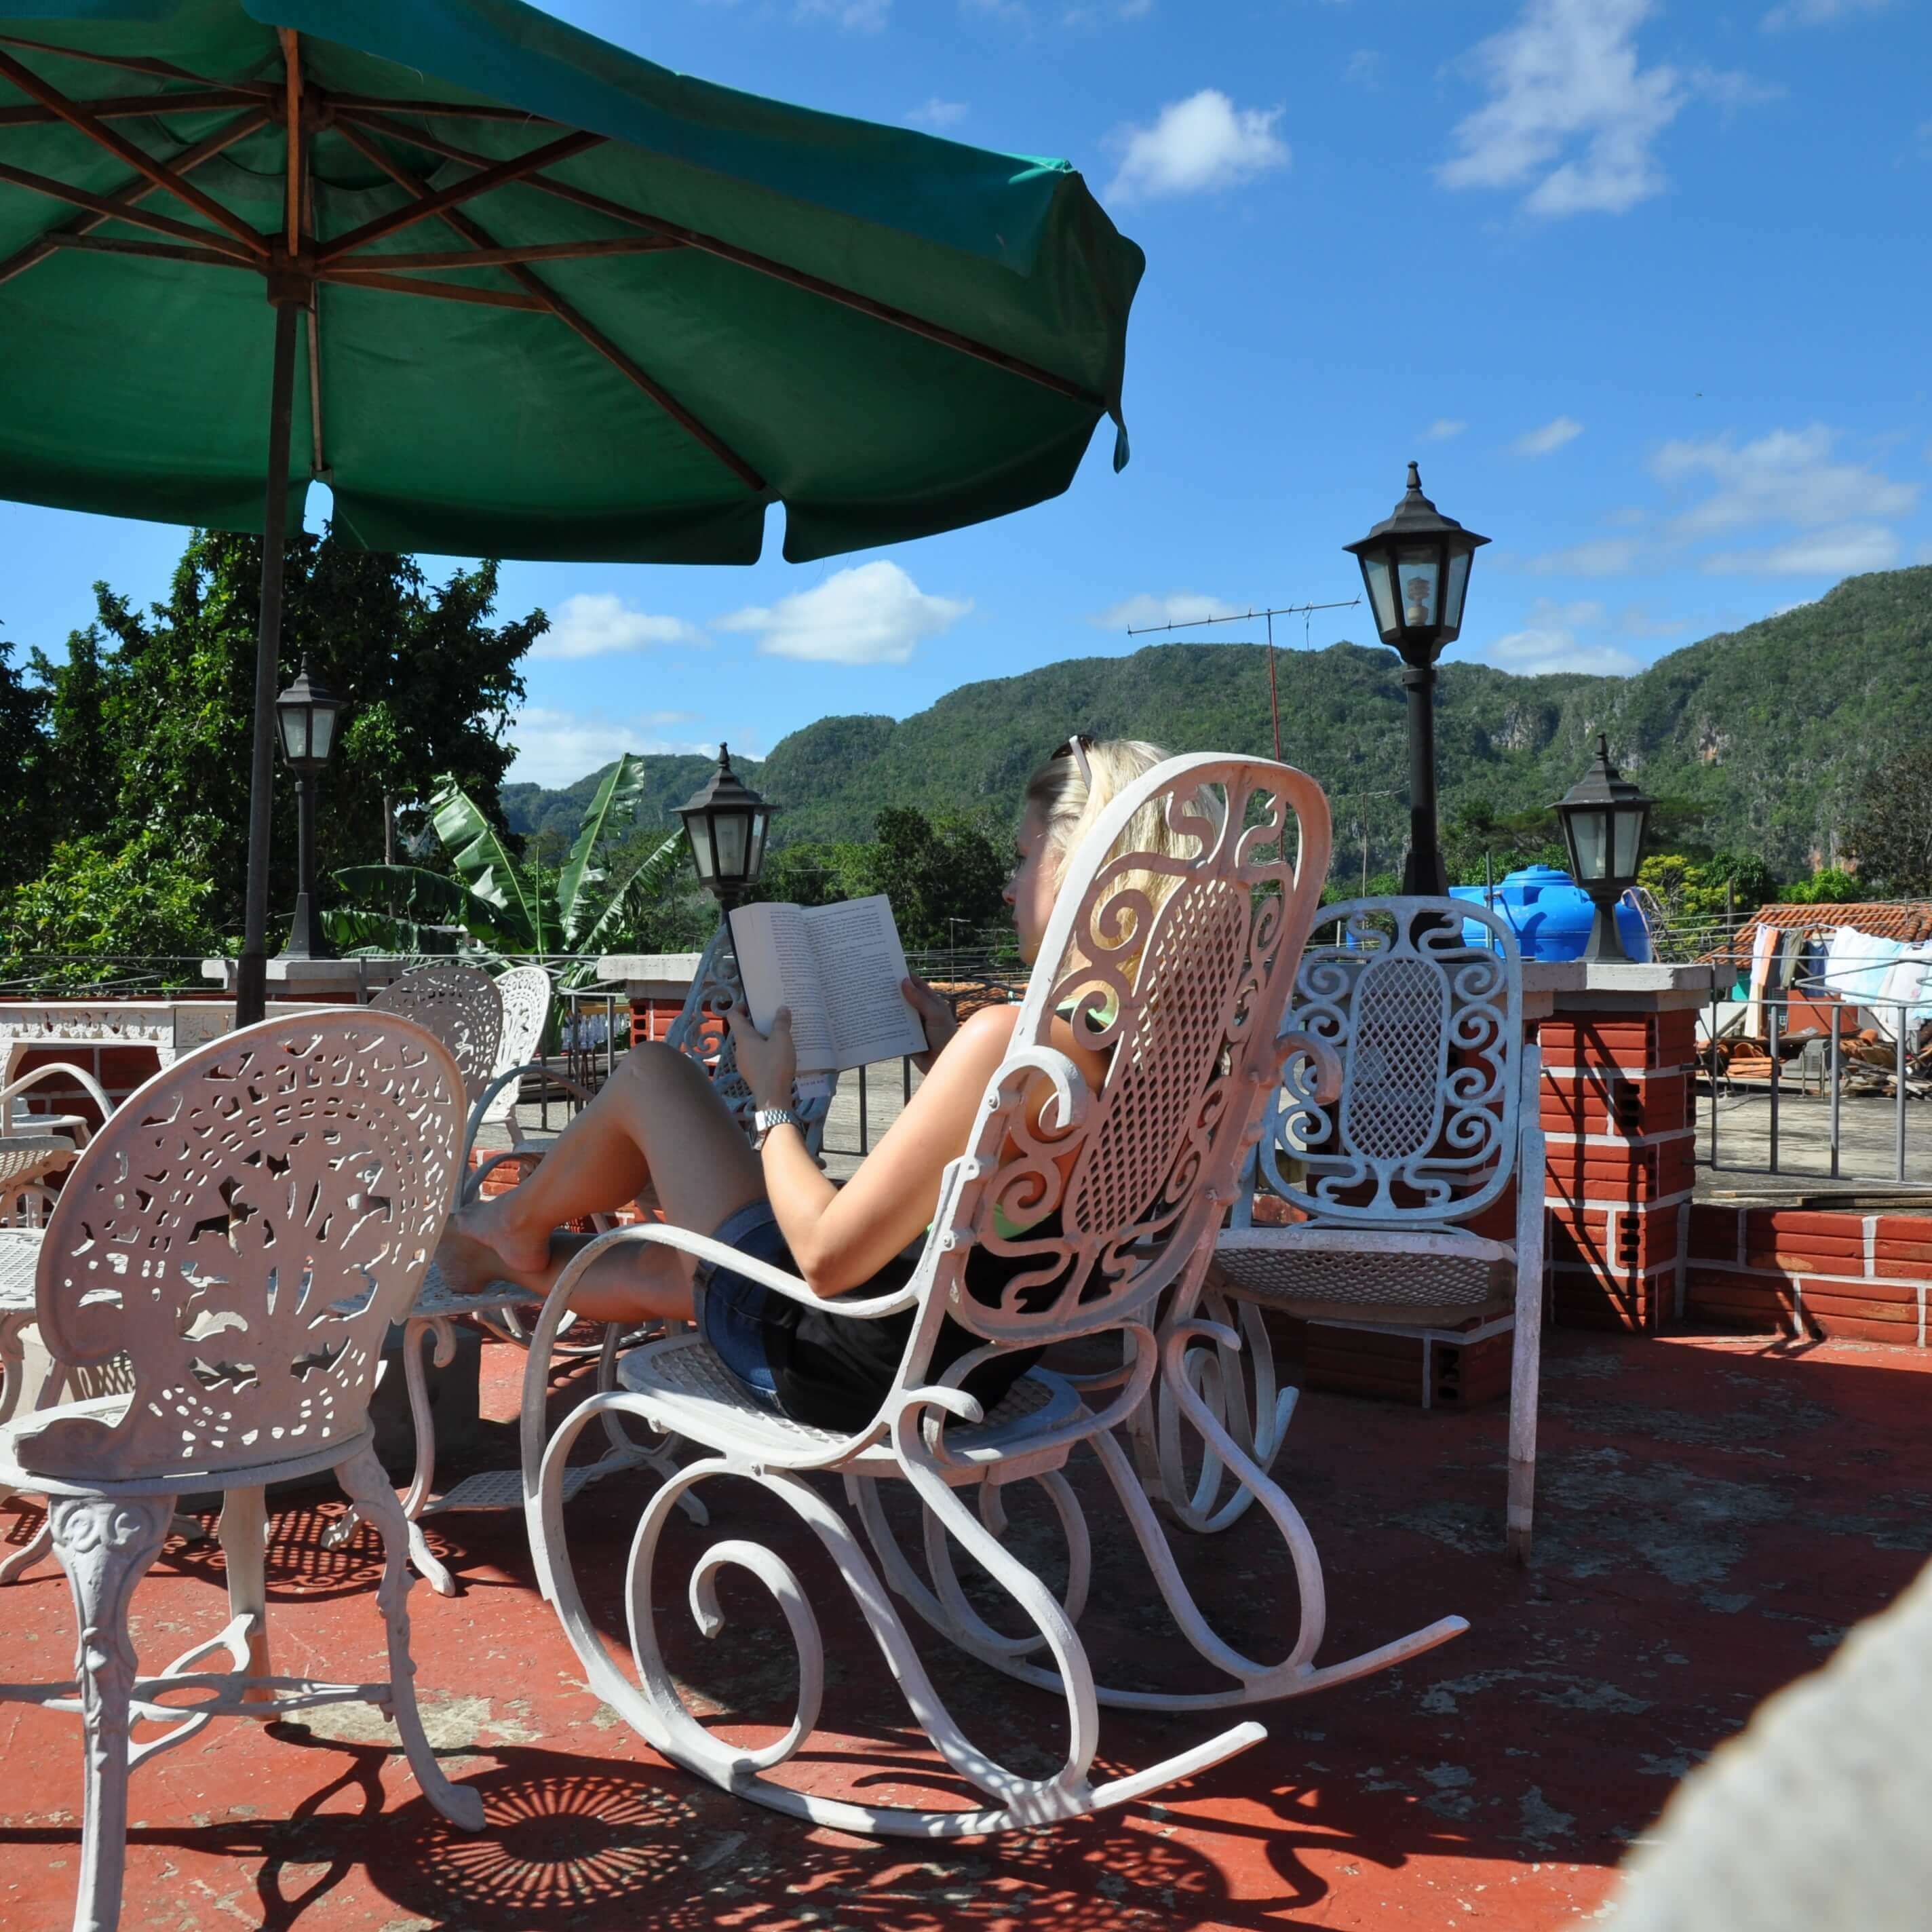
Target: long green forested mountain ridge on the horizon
{"type": "Point", "coordinates": [1763, 733]}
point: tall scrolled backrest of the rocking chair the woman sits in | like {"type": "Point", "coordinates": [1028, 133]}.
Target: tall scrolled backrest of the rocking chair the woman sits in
{"type": "Point", "coordinates": [1185, 992]}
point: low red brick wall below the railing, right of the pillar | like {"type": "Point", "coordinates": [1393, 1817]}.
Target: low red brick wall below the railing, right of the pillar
{"type": "Point", "coordinates": [1809, 1274]}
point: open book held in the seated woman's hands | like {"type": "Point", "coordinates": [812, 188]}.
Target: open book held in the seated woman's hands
{"type": "Point", "coordinates": [839, 971]}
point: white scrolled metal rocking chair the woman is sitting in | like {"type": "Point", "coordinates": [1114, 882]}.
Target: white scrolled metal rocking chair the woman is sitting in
{"type": "Point", "coordinates": [1139, 1176]}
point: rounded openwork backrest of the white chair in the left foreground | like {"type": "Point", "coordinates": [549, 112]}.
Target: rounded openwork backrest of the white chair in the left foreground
{"type": "Point", "coordinates": [246, 1228]}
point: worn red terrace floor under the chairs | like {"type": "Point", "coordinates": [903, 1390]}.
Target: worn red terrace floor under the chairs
{"type": "Point", "coordinates": [1713, 1514]}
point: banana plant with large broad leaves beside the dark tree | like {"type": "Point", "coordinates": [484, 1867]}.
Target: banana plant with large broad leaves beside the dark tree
{"type": "Point", "coordinates": [582, 905]}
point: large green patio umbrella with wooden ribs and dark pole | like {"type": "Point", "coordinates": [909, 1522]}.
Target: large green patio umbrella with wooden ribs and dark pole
{"type": "Point", "coordinates": [511, 291]}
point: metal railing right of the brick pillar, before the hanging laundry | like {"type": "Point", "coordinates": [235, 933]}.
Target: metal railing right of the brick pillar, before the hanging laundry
{"type": "Point", "coordinates": [1896, 1065]}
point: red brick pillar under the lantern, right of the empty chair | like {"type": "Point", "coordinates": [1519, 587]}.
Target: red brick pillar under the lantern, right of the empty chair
{"type": "Point", "coordinates": [1620, 1168]}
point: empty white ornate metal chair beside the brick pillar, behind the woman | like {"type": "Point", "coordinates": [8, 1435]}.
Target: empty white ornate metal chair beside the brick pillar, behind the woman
{"type": "Point", "coordinates": [1436, 1120]}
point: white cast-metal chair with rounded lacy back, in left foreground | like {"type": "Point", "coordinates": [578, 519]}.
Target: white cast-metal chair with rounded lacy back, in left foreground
{"type": "Point", "coordinates": [244, 1230]}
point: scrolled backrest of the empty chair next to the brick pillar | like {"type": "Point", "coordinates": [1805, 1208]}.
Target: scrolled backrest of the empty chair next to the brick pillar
{"type": "Point", "coordinates": [1429, 1025]}
